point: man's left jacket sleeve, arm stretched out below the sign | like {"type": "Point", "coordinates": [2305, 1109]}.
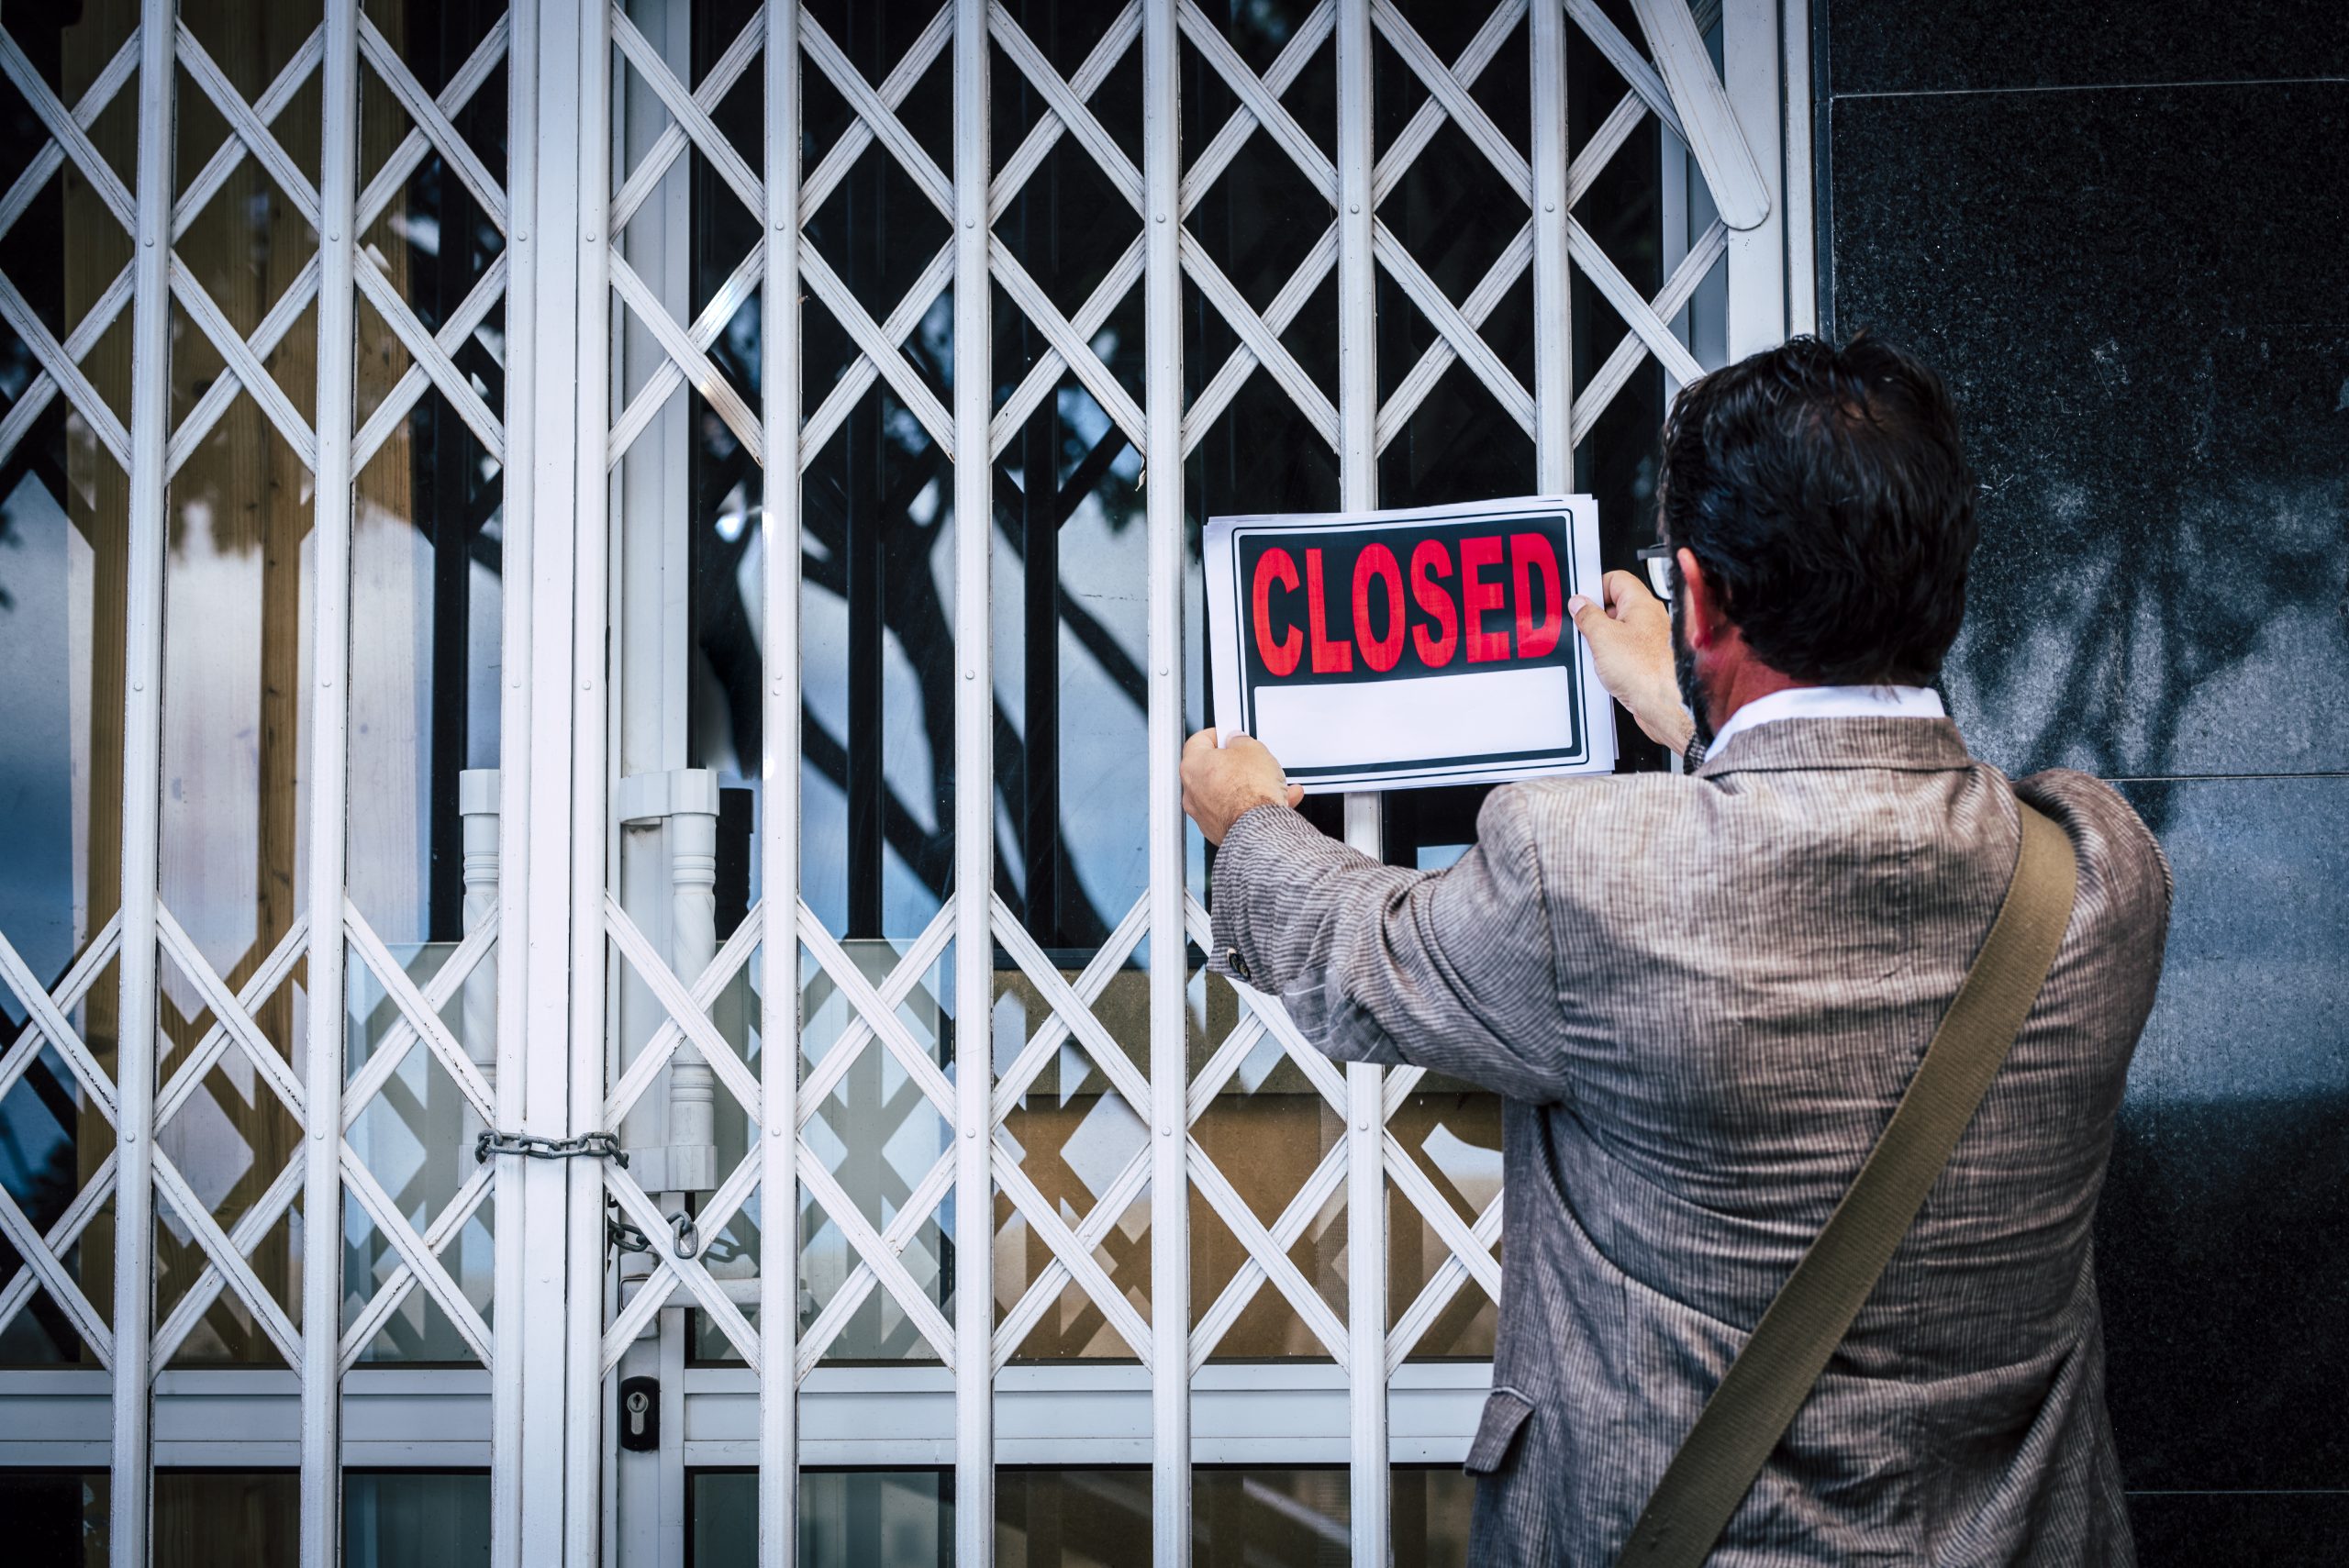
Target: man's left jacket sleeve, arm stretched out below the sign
{"type": "Point", "coordinates": [1443, 971]}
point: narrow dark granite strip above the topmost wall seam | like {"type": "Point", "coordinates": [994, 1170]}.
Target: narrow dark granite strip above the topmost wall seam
{"type": "Point", "coordinates": [1967, 46]}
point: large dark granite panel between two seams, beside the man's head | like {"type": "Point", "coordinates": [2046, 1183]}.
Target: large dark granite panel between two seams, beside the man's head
{"type": "Point", "coordinates": [2143, 304]}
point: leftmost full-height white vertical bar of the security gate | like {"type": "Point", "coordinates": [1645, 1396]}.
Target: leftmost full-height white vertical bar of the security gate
{"type": "Point", "coordinates": [142, 802]}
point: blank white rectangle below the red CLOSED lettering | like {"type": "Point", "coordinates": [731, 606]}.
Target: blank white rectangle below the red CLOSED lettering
{"type": "Point", "coordinates": [1357, 724]}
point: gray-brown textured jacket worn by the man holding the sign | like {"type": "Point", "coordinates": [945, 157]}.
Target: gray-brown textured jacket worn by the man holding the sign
{"type": "Point", "coordinates": [1702, 999]}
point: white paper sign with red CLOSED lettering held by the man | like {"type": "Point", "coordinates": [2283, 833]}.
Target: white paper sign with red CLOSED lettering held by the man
{"type": "Point", "coordinates": [1408, 649]}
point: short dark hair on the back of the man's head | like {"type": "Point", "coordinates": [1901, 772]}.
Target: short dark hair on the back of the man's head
{"type": "Point", "coordinates": [1826, 496]}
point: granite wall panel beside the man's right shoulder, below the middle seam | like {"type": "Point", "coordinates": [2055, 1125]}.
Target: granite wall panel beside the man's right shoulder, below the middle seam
{"type": "Point", "coordinates": [2223, 1243]}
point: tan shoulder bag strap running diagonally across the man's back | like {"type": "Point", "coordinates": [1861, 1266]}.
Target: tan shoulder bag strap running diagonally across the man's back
{"type": "Point", "coordinates": [1815, 1309]}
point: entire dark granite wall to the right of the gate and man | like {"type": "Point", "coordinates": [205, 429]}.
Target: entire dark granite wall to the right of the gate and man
{"type": "Point", "coordinates": [2118, 231]}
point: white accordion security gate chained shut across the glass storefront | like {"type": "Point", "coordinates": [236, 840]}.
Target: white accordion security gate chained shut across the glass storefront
{"type": "Point", "coordinates": [654, 327]}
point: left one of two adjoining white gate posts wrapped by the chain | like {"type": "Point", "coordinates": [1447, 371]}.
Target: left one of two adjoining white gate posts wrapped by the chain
{"type": "Point", "coordinates": [520, 980]}
